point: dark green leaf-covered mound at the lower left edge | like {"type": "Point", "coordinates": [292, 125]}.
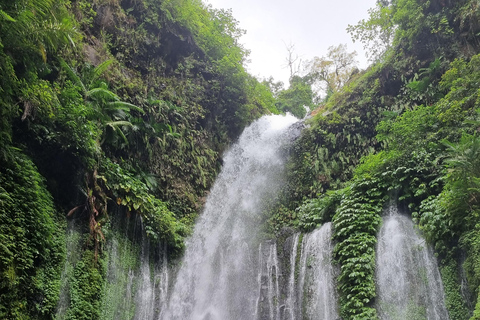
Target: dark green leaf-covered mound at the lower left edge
{"type": "Point", "coordinates": [31, 242]}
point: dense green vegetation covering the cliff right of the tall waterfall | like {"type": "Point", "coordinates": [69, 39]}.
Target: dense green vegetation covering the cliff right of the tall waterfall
{"type": "Point", "coordinates": [405, 130]}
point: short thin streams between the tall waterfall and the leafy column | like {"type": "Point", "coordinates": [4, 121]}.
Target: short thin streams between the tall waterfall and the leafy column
{"type": "Point", "coordinates": [307, 290]}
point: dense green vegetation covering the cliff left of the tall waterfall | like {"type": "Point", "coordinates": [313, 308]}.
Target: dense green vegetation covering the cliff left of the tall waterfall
{"type": "Point", "coordinates": [107, 105]}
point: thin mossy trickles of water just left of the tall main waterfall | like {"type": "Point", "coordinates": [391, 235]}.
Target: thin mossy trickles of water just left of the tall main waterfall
{"type": "Point", "coordinates": [137, 276]}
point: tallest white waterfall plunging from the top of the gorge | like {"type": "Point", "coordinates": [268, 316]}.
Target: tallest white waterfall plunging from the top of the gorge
{"type": "Point", "coordinates": [218, 277]}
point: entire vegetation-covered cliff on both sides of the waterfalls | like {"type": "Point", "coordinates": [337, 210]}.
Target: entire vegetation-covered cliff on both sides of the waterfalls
{"type": "Point", "coordinates": [123, 107]}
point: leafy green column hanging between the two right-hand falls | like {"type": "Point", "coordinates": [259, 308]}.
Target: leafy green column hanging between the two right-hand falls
{"type": "Point", "coordinates": [356, 222]}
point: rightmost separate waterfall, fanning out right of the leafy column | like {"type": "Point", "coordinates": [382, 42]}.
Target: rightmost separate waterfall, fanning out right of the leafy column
{"type": "Point", "coordinates": [408, 281]}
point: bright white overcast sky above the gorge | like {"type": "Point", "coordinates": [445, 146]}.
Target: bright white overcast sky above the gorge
{"type": "Point", "coordinates": [310, 25]}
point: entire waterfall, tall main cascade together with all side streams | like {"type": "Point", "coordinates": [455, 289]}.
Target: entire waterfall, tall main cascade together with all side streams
{"type": "Point", "coordinates": [229, 273]}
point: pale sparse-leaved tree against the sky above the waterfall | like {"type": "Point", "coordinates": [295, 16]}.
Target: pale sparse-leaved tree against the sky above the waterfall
{"type": "Point", "coordinates": [328, 74]}
